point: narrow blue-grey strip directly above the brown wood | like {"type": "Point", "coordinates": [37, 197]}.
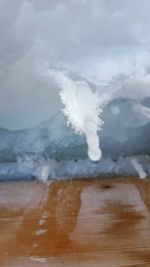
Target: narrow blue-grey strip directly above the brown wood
{"type": "Point", "coordinates": [51, 169]}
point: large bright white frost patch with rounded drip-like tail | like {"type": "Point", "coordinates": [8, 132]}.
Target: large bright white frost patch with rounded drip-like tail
{"type": "Point", "coordinates": [82, 109]}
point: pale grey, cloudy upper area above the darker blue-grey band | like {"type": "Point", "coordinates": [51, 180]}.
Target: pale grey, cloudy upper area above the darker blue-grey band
{"type": "Point", "coordinates": [99, 39]}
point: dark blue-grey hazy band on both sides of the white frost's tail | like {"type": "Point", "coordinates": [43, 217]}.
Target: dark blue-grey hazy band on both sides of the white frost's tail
{"type": "Point", "coordinates": [125, 133]}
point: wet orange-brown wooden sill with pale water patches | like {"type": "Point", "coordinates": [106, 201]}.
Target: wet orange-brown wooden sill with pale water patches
{"type": "Point", "coordinates": [95, 222]}
